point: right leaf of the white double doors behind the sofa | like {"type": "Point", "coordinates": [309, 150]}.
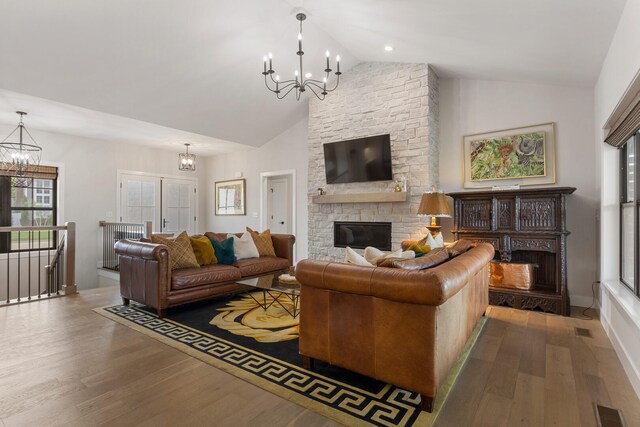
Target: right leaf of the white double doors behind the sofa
{"type": "Point", "coordinates": [178, 206]}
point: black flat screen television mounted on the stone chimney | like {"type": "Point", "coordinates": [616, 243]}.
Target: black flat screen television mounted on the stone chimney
{"type": "Point", "coordinates": [358, 160]}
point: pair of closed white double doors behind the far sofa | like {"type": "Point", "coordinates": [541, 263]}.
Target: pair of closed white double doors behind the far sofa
{"type": "Point", "coordinates": [170, 203]}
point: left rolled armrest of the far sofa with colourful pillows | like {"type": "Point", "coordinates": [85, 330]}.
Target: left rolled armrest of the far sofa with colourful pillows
{"type": "Point", "coordinates": [145, 272]}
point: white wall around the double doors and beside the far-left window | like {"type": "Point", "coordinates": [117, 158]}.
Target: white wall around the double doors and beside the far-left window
{"type": "Point", "coordinates": [89, 190]}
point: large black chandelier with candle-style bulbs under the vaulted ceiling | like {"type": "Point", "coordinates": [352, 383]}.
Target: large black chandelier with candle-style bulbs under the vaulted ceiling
{"type": "Point", "coordinates": [302, 81]}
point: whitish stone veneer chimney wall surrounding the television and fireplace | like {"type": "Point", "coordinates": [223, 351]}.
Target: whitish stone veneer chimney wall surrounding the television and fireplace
{"type": "Point", "coordinates": [373, 99]}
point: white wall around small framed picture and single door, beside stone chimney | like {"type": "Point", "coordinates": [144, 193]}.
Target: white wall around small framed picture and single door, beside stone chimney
{"type": "Point", "coordinates": [286, 151]}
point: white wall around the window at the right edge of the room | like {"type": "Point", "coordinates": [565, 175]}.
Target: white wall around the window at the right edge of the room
{"type": "Point", "coordinates": [620, 310]}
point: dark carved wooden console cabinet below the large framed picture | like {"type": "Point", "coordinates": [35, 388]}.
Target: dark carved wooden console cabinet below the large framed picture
{"type": "Point", "coordinates": [523, 226]}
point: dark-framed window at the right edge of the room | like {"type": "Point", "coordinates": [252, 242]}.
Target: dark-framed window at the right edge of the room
{"type": "Point", "coordinates": [629, 225]}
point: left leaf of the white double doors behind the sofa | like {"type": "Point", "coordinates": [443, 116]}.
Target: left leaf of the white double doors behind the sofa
{"type": "Point", "coordinates": [140, 199]}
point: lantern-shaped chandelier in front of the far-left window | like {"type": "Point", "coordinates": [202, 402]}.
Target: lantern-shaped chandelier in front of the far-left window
{"type": "Point", "coordinates": [19, 159]}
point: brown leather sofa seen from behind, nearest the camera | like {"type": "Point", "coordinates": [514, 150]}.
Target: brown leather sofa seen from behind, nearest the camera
{"type": "Point", "coordinates": [404, 327]}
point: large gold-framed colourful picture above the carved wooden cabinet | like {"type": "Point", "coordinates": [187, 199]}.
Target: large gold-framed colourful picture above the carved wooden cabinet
{"type": "Point", "coordinates": [516, 156]}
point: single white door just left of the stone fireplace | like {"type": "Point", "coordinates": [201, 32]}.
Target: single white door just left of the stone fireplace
{"type": "Point", "coordinates": [278, 201]}
